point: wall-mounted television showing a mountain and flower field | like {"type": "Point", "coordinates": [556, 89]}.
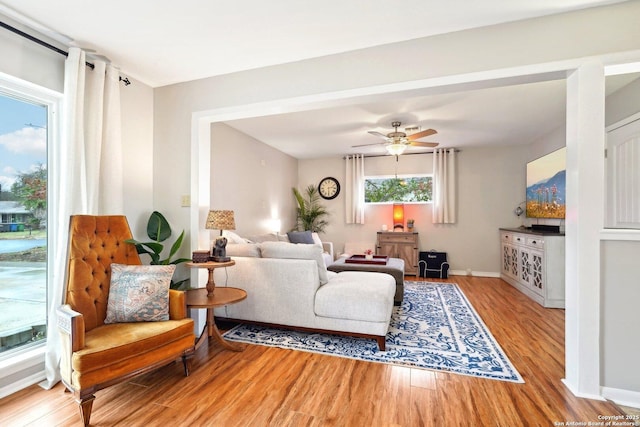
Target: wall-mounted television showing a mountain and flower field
{"type": "Point", "coordinates": [546, 186]}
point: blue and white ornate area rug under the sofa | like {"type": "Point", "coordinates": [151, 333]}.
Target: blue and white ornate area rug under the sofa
{"type": "Point", "coordinates": [435, 328]}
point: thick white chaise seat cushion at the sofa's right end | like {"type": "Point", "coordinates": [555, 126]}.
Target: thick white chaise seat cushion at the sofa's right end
{"type": "Point", "coordinates": [356, 295]}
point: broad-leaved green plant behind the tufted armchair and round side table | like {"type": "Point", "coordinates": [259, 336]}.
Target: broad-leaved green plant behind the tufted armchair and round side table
{"type": "Point", "coordinates": [159, 230]}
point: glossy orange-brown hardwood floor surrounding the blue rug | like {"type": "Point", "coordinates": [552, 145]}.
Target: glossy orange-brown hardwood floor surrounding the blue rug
{"type": "Point", "coordinates": [265, 386]}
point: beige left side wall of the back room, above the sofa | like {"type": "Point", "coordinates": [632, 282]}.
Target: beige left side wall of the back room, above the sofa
{"type": "Point", "coordinates": [252, 179]}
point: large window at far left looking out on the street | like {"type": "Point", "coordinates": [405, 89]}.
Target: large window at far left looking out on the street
{"type": "Point", "coordinates": [23, 219]}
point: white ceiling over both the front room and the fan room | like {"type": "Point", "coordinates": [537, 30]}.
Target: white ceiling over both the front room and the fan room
{"type": "Point", "coordinates": [163, 42]}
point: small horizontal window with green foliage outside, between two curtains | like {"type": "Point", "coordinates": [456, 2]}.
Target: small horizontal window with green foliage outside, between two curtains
{"type": "Point", "coordinates": [404, 189]}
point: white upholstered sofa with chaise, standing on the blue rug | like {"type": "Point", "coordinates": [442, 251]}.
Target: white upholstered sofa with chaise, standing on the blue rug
{"type": "Point", "coordinates": [288, 285]}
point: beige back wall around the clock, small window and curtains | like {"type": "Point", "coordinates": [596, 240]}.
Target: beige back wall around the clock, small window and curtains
{"type": "Point", "coordinates": [490, 186]}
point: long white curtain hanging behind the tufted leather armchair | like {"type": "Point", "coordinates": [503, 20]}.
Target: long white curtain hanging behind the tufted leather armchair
{"type": "Point", "coordinates": [88, 172]}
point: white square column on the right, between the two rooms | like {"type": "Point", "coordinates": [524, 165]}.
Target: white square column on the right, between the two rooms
{"type": "Point", "coordinates": [584, 220]}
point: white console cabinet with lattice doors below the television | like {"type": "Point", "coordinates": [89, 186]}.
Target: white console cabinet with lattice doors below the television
{"type": "Point", "coordinates": [533, 262]}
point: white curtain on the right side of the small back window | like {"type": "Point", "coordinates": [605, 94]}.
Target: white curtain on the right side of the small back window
{"type": "Point", "coordinates": [444, 186]}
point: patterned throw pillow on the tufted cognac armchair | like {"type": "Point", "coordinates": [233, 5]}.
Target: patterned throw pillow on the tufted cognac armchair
{"type": "Point", "coordinates": [139, 293]}
